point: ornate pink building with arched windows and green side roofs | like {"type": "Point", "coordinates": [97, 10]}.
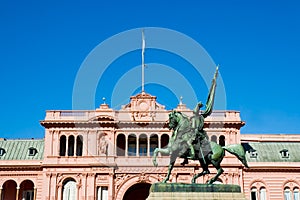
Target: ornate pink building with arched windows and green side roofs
{"type": "Point", "coordinates": [106, 154]}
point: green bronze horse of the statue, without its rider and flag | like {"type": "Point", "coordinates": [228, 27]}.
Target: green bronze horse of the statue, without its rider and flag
{"type": "Point", "coordinates": [178, 147]}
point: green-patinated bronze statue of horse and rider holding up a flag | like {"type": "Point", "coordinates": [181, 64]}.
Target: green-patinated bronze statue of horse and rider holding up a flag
{"type": "Point", "coordinates": [190, 141]}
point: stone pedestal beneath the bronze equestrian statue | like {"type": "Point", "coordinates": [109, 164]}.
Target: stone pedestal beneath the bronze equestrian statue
{"type": "Point", "coordinates": [176, 191]}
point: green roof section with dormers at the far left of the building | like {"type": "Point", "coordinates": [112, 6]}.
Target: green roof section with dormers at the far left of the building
{"type": "Point", "coordinates": [20, 149]}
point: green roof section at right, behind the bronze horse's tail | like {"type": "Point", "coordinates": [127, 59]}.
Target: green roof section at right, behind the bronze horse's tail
{"type": "Point", "coordinates": [272, 152]}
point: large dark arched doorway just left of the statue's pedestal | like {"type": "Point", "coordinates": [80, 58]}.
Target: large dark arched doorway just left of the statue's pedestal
{"type": "Point", "coordinates": [139, 191]}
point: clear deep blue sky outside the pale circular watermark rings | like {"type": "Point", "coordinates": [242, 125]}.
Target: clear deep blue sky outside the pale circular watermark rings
{"type": "Point", "coordinates": [257, 43]}
